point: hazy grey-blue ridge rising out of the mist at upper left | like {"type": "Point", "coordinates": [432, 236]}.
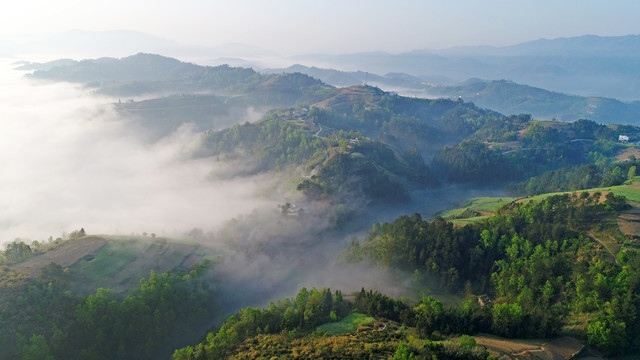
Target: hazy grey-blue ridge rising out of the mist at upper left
{"type": "Point", "coordinates": [154, 74]}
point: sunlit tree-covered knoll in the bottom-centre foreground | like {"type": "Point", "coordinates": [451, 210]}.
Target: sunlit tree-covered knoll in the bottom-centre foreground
{"type": "Point", "coordinates": [289, 326]}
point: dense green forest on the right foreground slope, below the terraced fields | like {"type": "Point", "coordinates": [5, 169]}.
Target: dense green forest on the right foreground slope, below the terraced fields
{"type": "Point", "coordinates": [534, 262]}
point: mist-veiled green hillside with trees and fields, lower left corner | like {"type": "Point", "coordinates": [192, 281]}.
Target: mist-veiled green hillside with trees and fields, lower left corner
{"type": "Point", "coordinates": [104, 298]}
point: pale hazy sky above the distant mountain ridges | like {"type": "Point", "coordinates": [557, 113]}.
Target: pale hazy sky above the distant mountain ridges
{"type": "Point", "coordinates": [291, 27]}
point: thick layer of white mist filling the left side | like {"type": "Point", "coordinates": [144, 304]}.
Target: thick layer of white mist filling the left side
{"type": "Point", "coordinates": [68, 161]}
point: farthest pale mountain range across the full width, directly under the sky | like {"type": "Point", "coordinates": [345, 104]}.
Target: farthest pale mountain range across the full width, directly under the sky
{"type": "Point", "coordinates": [588, 65]}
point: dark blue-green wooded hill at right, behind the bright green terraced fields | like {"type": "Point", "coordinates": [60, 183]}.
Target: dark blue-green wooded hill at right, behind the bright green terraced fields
{"type": "Point", "coordinates": [540, 148]}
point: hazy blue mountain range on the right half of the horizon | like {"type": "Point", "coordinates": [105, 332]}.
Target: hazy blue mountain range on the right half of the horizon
{"type": "Point", "coordinates": [587, 65]}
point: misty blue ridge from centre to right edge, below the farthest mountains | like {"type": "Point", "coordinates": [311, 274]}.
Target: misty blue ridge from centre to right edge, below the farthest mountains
{"type": "Point", "coordinates": [504, 96]}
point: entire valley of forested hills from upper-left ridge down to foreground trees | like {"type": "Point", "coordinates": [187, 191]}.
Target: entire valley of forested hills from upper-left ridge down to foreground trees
{"type": "Point", "coordinates": [379, 220]}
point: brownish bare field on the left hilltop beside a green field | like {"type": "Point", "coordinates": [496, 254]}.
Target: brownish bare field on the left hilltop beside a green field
{"type": "Point", "coordinates": [64, 255]}
